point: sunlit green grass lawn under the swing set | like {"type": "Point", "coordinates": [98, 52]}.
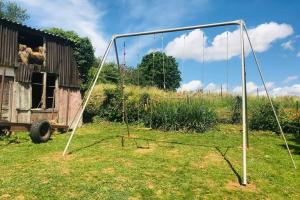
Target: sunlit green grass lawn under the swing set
{"type": "Point", "coordinates": [175, 166]}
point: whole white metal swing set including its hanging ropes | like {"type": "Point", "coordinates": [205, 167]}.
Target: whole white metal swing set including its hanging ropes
{"type": "Point", "coordinates": [243, 33]}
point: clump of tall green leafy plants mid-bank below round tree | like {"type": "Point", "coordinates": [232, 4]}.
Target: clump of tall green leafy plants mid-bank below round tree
{"type": "Point", "coordinates": [187, 115]}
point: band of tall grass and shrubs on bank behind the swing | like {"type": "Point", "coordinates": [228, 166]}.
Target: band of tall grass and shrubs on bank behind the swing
{"type": "Point", "coordinates": [188, 111]}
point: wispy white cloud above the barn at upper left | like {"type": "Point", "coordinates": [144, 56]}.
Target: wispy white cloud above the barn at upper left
{"type": "Point", "coordinates": [78, 15]}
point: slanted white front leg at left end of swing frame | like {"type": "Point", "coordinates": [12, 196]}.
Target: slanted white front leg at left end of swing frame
{"type": "Point", "coordinates": [89, 95]}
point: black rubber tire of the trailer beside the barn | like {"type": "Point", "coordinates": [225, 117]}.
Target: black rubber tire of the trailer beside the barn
{"type": "Point", "coordinates": [40, 131]}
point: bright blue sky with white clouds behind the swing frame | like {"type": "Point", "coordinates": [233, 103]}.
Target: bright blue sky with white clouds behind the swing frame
{"type": "Point", "coordinates": [273, 28]}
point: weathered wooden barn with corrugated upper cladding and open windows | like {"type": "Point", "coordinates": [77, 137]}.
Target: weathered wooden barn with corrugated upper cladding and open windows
{"type": "Point", "coordinates": [39, 79]}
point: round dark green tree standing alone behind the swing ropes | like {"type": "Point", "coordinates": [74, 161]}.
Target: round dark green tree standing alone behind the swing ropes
{"type": "Point", "coordinates": [153, 68]}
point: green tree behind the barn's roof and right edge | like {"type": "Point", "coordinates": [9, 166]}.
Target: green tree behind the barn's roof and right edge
{"type": "Point", "coordinates": [83, 51]}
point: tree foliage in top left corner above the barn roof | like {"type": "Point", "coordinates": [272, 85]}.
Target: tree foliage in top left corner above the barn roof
{"type": "Point", "coordinates": [12, 11]}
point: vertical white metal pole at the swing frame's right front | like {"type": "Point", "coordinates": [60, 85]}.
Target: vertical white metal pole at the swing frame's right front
{"type": "Point", "coordinates": [244, 95]}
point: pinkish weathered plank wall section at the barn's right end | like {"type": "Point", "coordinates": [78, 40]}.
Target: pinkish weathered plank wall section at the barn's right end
{"type": "Point", "coordinates": [68, 109]}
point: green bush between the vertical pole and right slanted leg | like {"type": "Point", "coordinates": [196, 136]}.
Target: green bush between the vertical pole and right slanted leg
{"type": "Point", "coordinates": [262, 117]}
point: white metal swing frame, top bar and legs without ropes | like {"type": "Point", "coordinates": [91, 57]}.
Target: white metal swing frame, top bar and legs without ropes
{"type": "Point", "coordinates": [243, 31]}
